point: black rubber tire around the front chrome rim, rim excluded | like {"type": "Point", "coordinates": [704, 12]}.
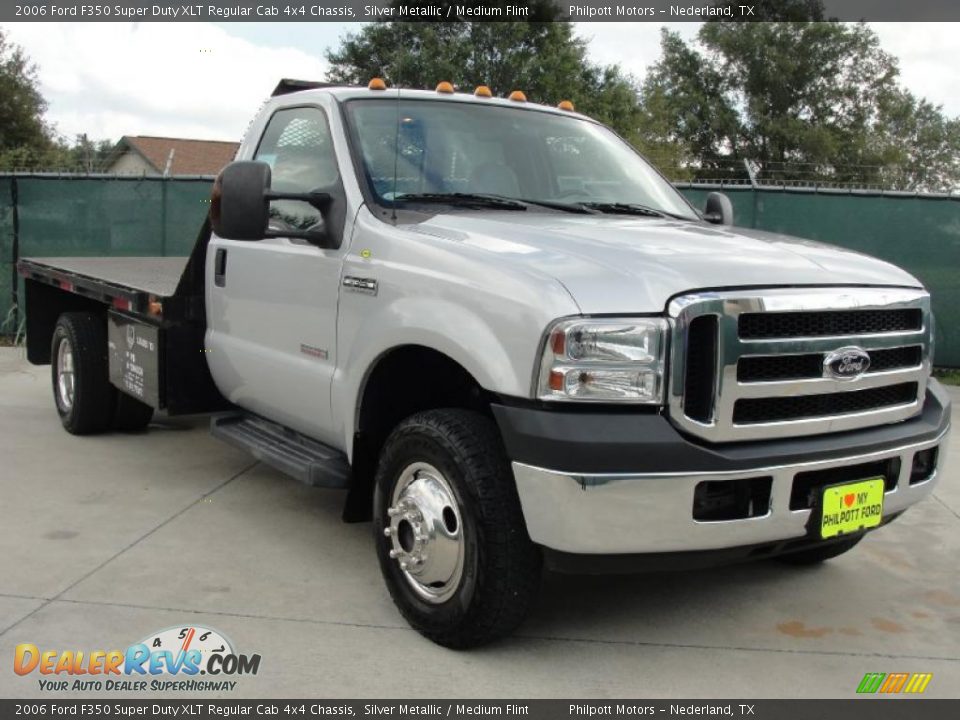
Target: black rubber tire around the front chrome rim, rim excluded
{"type": "Point", "coordinates": [501, 566]}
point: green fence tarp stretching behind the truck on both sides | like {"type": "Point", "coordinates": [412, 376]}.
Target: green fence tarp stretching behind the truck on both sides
{"type": "Point", "coordinates": [86, 216]}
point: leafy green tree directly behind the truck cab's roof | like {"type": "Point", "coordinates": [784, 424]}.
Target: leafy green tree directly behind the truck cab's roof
{"type": "Point", "coordinates": [539, 55]}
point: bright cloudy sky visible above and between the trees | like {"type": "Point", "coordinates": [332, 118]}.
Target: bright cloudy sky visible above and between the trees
{"type": "Point", "coordinates": [206, 80]}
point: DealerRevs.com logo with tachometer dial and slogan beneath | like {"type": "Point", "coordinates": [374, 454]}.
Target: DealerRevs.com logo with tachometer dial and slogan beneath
{"type": "Point", "coordinates": [169, 660]}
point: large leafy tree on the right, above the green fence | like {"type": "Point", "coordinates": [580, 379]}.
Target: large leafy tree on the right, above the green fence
{"type": "Point", "coordinates": [802, 100]}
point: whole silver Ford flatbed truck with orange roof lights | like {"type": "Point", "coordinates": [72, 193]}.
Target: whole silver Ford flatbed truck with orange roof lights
{"type": "Point", "coordinates": [514, 344]}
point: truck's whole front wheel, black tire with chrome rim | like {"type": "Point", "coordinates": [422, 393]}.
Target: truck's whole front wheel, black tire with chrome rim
{"type": "Point", "coordinates": [450, 535]}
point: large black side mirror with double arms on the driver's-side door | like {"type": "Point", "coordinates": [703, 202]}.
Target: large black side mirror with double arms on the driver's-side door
{"type": "Point", "coordinates": [240, 204]}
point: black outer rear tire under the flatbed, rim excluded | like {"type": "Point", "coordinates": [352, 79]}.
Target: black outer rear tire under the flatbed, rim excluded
{"type": "Point", "coordinates": [89, 408]}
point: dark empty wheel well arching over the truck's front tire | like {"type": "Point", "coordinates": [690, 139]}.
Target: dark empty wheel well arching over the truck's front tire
{"type": "Point", "coordinates": [404, 381]}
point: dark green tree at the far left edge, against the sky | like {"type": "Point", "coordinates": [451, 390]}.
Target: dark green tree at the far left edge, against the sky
{"type": "Point", "coordinates": [21, 104]}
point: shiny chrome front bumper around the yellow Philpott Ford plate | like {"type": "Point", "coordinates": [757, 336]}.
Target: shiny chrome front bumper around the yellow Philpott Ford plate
{"type": "Point", "coordinates": [622, 513]}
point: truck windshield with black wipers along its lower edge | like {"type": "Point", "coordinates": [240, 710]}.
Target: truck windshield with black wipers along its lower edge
{"type": "Point", "coordinates": [464, 148]}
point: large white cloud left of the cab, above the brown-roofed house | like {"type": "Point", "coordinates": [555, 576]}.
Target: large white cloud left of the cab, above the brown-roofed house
{"type": "Point", "coordinates": [182, 80]}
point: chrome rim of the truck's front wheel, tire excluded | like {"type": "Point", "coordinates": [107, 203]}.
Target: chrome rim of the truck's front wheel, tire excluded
{"type": "Point", "coordinates": [425, 532]}
